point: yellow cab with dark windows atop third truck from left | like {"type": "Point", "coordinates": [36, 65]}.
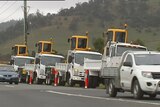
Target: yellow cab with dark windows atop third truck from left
{"type": "Point", "coordinates": [79, 42]}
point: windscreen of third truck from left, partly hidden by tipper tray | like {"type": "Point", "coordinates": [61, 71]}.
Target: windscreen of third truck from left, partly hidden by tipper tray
{"type": "Point", "coordinates": [79, 57]}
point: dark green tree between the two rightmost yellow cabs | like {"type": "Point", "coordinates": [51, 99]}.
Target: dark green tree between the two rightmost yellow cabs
{"type": "Point", "coordinates": [98, 44]}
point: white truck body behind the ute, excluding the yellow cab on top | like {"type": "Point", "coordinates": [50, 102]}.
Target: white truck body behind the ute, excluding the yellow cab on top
{"type": "Point", "coordinates": [111, 59]}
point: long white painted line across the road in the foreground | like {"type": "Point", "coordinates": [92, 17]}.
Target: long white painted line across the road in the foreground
{"type": "Point", "coordinates": [101, 98]}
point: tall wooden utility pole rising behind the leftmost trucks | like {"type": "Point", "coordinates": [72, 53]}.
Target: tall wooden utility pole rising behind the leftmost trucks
{"type": "Point", "coordinates": [25, 22]}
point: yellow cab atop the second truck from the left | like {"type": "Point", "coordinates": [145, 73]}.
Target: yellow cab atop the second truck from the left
{"type": "Point", "coordinates": [44, 47]}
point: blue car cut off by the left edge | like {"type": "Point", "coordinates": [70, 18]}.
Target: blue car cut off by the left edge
{"type": "Point", "coordinates": [8, 74]}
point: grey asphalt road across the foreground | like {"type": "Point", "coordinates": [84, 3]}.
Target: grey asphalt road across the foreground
{"type": "Point", "coordinates": [24, 95]}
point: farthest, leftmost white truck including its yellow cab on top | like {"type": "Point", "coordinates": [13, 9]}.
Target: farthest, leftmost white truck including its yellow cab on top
{"type": "Point", "coordinates": [18, 60]}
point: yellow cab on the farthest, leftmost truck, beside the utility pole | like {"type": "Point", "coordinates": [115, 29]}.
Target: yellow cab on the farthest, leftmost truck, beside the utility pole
{"type": "Point", "coordinates": [20, 50]}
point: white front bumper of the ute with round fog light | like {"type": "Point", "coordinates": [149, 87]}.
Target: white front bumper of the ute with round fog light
{"type": "Point", "coordinates": [150, 85]}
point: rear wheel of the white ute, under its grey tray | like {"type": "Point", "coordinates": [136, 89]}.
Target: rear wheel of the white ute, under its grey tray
{"type": "Point", "coordinates": [112, 90]}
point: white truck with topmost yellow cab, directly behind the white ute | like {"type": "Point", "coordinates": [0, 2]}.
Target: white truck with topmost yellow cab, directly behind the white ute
{"type": "Point", "coordinates": [115, 46]}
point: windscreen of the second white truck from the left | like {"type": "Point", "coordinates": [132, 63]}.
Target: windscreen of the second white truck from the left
{"type": "Point", "coordinates": [50, 60]}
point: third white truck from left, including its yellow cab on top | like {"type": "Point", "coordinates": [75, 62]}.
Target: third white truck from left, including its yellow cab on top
{"type": "Point", "coordinates": [72, 72]}
